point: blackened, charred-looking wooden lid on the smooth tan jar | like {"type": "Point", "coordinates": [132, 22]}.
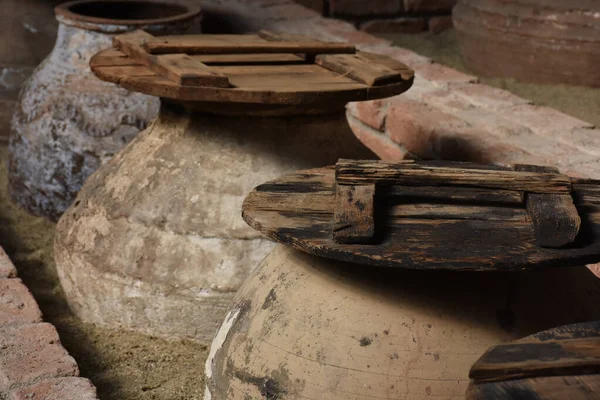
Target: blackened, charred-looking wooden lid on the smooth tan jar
{"type": "Point", "coordinates": [433, 215]}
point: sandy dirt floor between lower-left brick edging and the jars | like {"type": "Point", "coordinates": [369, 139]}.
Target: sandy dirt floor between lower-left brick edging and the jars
{"type": "Point", "coordinates": [123, 365]}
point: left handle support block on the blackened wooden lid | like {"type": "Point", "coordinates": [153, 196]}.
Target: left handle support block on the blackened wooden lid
{"type": "Point", "coordinates": [354, 218]}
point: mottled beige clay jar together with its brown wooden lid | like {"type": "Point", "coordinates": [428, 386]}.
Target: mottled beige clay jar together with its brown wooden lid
{"type": "Point", "coordinates": [155, 241]}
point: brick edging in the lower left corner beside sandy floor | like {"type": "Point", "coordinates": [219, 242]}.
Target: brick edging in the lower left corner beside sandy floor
{"type": "Point", "coordinates": [33, 363]}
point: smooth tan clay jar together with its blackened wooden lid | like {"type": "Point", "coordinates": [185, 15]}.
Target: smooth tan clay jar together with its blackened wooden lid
{"type": "Point", "coordinates": [434, 265]}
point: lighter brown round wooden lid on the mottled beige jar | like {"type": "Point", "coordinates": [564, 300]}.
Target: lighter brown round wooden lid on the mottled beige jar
{"type": "Point", "coordinates": [266, 69]}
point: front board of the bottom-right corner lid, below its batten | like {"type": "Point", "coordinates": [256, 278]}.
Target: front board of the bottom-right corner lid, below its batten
{"type": "Point", "coordinates": [570, 387]}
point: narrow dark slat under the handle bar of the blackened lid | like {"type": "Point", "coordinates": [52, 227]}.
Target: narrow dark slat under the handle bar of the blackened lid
{"type": "Point", "coordinates": [456, 194]}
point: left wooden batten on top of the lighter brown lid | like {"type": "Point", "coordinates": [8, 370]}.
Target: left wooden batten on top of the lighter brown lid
{"type": "Point", "coordinates": [179, 68]}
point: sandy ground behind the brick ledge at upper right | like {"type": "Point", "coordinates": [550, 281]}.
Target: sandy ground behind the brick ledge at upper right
{"type": "Point", "coordinates": [578, 101]}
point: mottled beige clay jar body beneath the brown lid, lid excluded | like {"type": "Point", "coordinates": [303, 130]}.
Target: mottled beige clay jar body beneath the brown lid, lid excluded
{"type": "Point", "coordinates": [155, 241]}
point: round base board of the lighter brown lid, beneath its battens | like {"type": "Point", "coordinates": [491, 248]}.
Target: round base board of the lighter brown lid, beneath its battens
{"type": "Point", "coordinates": [327, 89]}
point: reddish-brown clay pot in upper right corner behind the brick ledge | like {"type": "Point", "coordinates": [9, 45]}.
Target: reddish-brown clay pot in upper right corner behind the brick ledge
{"type": "Point", "coordinates": [548, 41]}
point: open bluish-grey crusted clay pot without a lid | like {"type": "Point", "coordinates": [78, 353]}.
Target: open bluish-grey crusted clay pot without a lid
{"type": "Point", "coordinates": [68, 122]}
